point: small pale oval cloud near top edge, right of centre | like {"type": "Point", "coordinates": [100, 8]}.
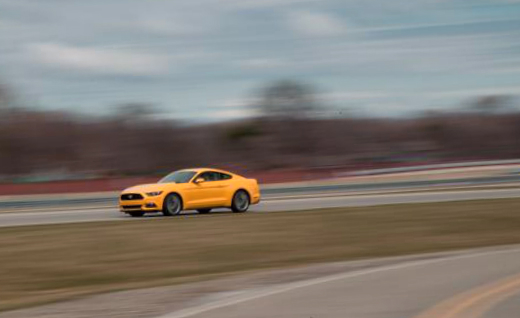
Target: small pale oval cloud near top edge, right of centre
{"type": "Point", "coordinates": [315, 24]}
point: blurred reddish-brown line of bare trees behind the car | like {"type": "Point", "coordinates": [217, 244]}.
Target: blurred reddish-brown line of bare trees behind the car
{"type": "Point", "coordinates": [289, 132]}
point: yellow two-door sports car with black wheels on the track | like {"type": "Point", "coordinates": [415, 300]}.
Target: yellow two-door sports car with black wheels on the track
{"type": "Point", "coordinates": [199, 189]}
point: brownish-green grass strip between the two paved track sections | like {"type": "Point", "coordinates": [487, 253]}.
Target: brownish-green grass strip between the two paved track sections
{"type": "Point", "coordinates": [53, 262]}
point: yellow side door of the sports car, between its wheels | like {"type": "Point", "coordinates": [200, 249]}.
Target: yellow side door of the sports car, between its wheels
{"type": "Point", "coordinates": [209, 193]}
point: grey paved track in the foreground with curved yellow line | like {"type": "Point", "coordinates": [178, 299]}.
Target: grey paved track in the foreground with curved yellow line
{"type": "Point", "coordinates": [484, 284]}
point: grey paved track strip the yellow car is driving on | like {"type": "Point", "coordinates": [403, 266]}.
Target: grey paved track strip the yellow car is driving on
{"type": "Point", "coordinates": [285, 203]}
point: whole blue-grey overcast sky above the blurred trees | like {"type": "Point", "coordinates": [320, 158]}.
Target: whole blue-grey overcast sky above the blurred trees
{"type": "Point", "coordinates": [205, 59]}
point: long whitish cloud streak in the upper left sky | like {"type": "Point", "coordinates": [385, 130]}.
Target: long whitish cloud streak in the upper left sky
{"type": "Point", "coordinates": [98, 60]}
